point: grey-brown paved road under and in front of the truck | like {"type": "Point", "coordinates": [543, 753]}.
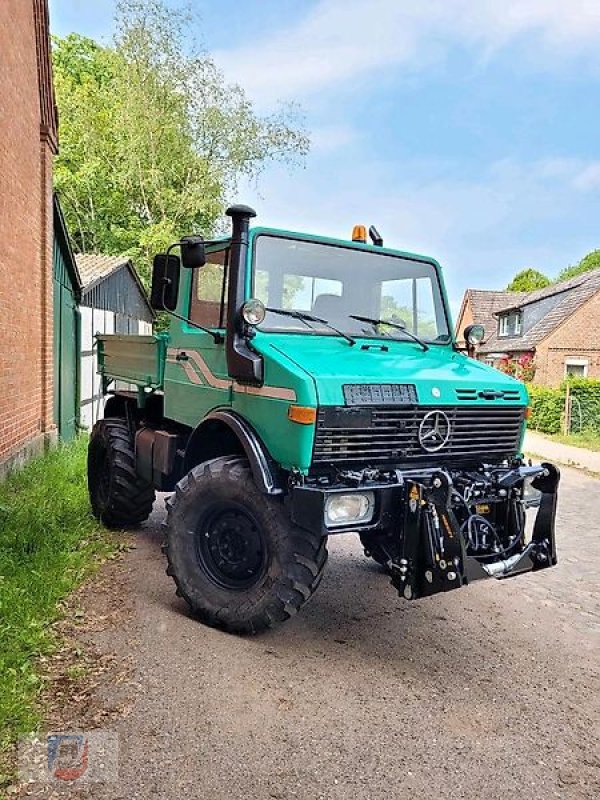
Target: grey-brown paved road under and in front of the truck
{"type": "Point", "coordinates": [488, 692]}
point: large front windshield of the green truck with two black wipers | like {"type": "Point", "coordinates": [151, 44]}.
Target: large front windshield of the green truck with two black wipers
{"type": "Point", "coordinates": [333, 283]}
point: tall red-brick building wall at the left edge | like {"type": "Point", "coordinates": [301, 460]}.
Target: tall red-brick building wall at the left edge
{"type": "Point", "coordinates": [28, 142]}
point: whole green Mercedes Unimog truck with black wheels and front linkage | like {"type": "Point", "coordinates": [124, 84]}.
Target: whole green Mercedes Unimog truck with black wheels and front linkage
{"type": "Point", "coordinates": [309, 387]}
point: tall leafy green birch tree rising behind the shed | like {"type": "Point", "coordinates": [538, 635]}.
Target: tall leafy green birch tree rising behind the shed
{"type": "Point", "coordinates": [153, 140]}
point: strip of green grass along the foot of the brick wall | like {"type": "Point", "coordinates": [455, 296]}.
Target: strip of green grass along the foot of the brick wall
{"type": "Point", "coordinates": [49, 542]}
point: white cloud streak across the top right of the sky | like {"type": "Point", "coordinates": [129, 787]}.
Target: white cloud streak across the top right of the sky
{"type": "Point", "coordinates": [340, 40]}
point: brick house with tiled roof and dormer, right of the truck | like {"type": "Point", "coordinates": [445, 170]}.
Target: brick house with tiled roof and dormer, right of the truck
{"type": "Point", "coordinates": [558, 327]}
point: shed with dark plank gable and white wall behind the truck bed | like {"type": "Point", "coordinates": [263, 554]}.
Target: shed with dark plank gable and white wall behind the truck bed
{"type": "Point", "coordinates": [113, 300]}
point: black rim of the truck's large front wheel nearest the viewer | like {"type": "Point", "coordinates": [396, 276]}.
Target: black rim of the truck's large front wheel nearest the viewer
{"type": "Point", "coordinates": [231, 547]}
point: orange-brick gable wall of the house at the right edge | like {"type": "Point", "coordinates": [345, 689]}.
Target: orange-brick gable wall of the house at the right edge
{"type": "Point", "coordinates": [577, 338]}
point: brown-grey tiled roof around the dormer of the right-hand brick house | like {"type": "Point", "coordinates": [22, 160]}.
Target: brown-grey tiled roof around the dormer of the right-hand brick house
{"type": "Point", "coordinates": [570, 295]}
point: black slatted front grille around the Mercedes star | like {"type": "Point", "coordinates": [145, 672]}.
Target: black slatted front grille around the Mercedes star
{"type": "Point", "coordinates": [391, 435]}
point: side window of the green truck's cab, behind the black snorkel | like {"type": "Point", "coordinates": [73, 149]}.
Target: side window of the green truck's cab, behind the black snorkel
{"type": "Point", "coordinates": [208, 304]}
